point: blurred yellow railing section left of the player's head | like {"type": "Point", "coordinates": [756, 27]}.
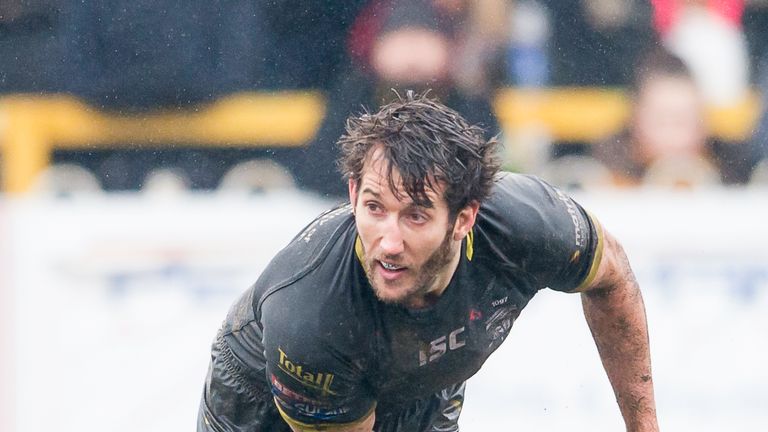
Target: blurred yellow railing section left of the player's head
{"type": "Point", "coordinates": [32, 127]}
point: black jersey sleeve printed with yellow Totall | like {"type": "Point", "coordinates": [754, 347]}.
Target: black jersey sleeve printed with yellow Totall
{"type": "Point", "coordinates": [315, 385]}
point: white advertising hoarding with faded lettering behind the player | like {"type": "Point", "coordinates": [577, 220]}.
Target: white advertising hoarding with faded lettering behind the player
{"type": "Point", "coordinates": [109, 304]}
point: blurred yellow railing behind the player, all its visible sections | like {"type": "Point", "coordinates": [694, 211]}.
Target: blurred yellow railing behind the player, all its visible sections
{"type": "Point", "coordinates": [31, 127]}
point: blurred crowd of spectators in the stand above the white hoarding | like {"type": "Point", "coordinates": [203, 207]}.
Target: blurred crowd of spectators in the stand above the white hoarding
{"type": "Point", "coordinates": [675, 58]}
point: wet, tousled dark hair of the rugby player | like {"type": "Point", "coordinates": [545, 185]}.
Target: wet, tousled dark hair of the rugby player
{"type": "Point", "coordinates": [426, 142]}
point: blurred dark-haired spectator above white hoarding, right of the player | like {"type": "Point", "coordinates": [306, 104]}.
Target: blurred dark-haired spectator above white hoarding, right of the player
{"type": "Point", "coordinates": [666, 141]}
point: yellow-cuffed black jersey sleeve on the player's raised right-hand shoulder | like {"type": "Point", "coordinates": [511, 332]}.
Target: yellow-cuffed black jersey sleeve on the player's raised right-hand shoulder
{"type": "Point", "coordinates": [544, 232]}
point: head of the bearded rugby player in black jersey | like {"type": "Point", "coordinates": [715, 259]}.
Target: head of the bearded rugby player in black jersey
{"type": "Point", "coordinates": [417, 172]}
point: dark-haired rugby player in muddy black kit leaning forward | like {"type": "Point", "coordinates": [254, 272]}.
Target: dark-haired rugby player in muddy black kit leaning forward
{"type": "Point", "coordinates": [376, 314]}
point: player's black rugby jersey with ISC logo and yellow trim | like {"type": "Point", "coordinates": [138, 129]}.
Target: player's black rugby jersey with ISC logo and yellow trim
{"type": "Point", "coordinates": [313, 334]}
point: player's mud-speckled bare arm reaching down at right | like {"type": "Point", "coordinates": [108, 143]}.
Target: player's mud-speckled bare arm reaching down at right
{"type": "Point", "coordinates": [614, 309]}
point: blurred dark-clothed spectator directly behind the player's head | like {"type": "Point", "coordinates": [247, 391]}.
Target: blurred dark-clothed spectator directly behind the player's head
{"type": "Point", "coordinates": [452, 47]}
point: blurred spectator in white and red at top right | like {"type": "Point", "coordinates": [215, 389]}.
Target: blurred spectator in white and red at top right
{"type": "Point", "coordinates": [708, 36]}
